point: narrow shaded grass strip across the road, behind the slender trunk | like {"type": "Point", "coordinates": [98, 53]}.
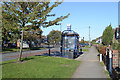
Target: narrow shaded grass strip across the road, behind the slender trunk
{"type": "Point", "coordinates": [17, 50]}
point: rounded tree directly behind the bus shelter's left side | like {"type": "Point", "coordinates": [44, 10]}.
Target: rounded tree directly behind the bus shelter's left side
{"type": "Point", "coordinates": [54, 36]}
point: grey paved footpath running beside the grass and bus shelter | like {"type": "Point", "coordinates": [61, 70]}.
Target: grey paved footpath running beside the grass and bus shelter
{"type": "Point", "coordinates": [90, 66]}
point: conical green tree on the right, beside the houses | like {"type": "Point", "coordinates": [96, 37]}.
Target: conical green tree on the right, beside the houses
{"type": "Point", "coordinates": [107, 36]}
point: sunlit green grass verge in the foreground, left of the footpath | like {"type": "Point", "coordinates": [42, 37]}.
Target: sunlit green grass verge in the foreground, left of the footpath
{"type": "Point", "coordinates": [40, 67]}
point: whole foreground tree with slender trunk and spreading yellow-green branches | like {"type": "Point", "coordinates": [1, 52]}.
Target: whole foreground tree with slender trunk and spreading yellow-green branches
{"type": "Point", "coordinates": [36, 13]}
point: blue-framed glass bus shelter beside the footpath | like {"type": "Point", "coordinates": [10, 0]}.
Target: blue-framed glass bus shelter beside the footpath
{"type": "Point", "coordinates": [69, 44]}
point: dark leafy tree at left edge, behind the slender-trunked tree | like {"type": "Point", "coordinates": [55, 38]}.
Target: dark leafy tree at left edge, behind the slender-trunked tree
{"type": "Point", "coordinates": [10, 33]}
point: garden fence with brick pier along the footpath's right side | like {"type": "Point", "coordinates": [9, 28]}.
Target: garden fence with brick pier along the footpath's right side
{"type": "Point", "coordinates": [111, 60]}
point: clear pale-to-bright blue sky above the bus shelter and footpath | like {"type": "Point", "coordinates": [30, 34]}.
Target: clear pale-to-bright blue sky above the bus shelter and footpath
{"type": "Point", "coordinates": [97, 15]}
